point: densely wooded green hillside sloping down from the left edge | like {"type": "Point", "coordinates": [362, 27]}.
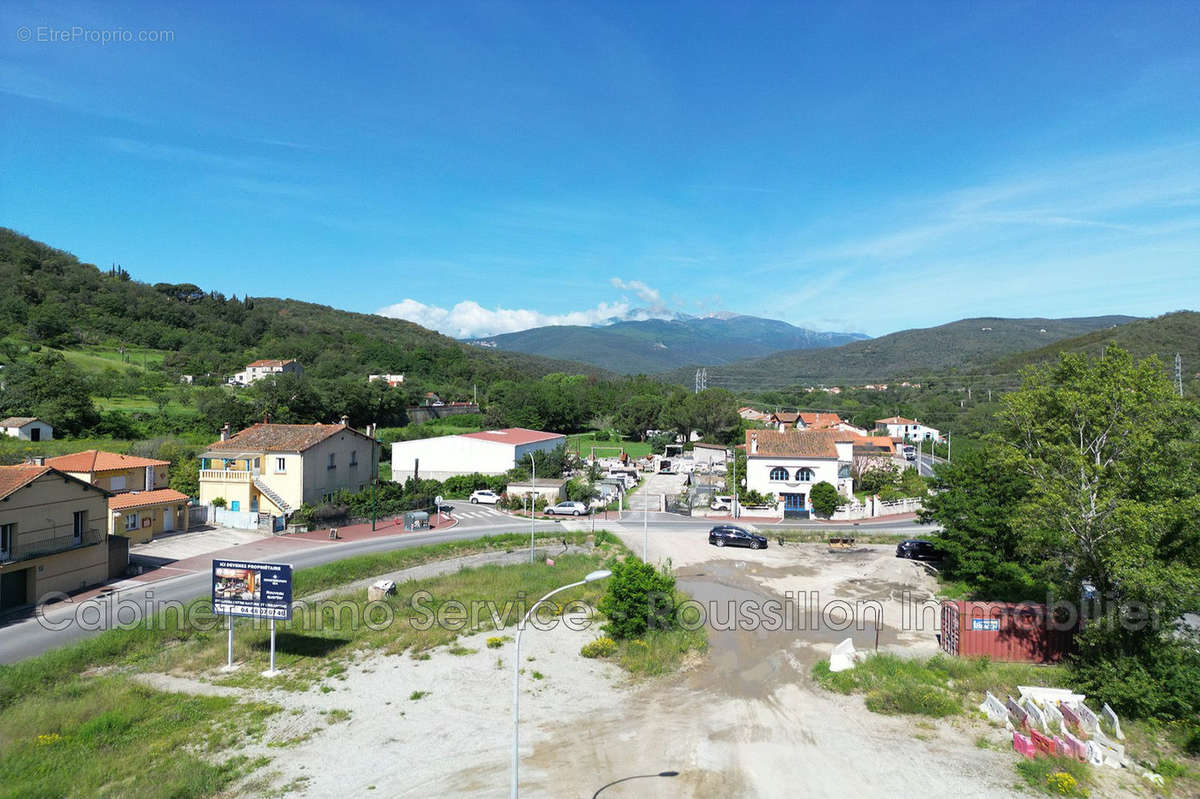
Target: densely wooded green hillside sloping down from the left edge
{"type": "Point", "coordinates": [52, 301]}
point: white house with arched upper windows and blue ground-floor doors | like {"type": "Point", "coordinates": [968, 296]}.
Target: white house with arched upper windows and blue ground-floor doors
{"type": "Point", "coordinates": [789, 464]}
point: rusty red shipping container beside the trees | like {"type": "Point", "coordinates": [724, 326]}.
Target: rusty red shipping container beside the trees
{"type": "Point", "coordinates": [1009, 632]}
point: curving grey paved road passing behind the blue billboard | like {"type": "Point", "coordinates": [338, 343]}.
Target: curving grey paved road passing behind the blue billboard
{"type": "Point", "coordinates": [68, 622]}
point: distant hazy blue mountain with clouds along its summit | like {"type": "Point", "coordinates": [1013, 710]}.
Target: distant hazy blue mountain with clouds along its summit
{"type": "Point", "coordinates": [661, 345]}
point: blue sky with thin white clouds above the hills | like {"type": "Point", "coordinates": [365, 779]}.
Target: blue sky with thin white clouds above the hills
{"type": "Point", "coordinates": [483, 167]}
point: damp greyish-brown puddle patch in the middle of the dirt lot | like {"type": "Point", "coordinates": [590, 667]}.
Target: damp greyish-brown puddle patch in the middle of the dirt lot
{"type": "Point", "coordinates": [758, 638]}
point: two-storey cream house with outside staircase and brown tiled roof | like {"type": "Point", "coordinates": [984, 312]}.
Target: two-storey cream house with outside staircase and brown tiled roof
{"type": "Point", "coordinates": [277, 468]}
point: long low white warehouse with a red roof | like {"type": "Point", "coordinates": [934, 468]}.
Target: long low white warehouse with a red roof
{"type": "Point", "coordinates": [491, 452]}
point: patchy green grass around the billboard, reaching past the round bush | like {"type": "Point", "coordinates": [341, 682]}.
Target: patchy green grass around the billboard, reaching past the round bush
{"type": "Point", "coordinates": [74, 723]}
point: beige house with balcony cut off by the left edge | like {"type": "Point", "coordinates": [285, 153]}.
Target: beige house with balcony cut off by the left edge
{"type": "Point", "coordinates": [53, 534]}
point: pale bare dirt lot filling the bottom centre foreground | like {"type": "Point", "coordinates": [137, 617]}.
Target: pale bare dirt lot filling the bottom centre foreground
{"type": "Point", "coordinates": [743, 722]}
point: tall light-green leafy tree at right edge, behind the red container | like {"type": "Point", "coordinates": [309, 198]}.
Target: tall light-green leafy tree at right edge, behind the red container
{"type": "Point", "coordinates": [1112, 456]}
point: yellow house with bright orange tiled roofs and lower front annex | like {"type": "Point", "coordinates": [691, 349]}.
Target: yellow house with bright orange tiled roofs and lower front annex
{"type": "Point", "coordinates": [143, 506]}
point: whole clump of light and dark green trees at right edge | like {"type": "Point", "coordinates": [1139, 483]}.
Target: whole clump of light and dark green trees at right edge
{"type": "Point", "coordinates": [1089, 495]}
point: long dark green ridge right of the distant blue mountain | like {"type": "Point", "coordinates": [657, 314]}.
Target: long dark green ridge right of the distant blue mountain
{"type": "Point", "coordinates": [961, 346]}
